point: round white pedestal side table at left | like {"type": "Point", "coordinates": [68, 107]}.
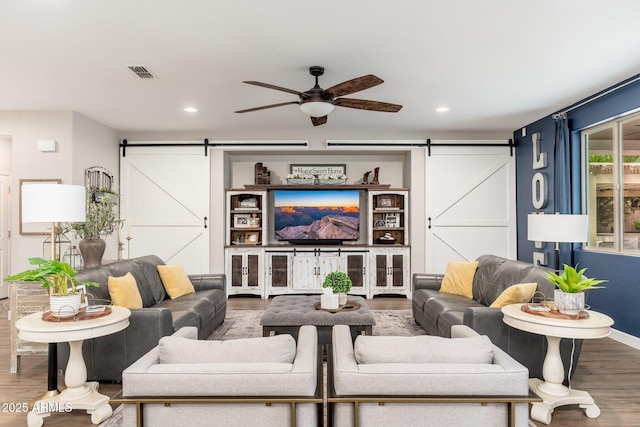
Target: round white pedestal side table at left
{"type": "Point", "coordinates": [78, 394]}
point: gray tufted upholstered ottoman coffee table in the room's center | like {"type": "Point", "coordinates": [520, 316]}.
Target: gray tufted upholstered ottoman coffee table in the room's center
{"type": "Point", "coordinates": [287, 313]}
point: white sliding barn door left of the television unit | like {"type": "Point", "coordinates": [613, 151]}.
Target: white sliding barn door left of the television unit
{"type": "Point", "coordinates": [164, 201]}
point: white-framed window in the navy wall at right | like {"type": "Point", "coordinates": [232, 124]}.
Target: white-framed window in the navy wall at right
{"type": "Point", "coordinates": [612, 184]}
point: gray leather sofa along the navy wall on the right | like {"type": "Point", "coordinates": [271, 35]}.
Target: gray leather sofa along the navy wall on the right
{"type": "Point", "coordinates": [436, 312]}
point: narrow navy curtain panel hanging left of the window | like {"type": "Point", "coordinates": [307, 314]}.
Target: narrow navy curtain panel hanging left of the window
{"type": "Point", "coordinates": [562, 180]}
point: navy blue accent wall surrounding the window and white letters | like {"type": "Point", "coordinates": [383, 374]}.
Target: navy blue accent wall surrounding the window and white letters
{"type": "Point", "coordinates": [621, 298]}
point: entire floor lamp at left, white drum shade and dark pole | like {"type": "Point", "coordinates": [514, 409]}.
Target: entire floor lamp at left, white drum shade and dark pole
{"type": "Point", "coordinates": [53, 203]}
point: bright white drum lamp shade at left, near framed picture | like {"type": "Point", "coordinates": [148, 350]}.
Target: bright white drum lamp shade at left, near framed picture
{"type": "Point", "coordinates": [53, 203]}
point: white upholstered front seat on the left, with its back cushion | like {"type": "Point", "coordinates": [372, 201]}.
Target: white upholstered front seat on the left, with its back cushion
{"type": "Point", "coordinates": [244, 382]}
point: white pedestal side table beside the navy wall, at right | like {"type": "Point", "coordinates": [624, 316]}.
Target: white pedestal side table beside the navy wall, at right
{"type": "Point", "coordinates": [551, 390]}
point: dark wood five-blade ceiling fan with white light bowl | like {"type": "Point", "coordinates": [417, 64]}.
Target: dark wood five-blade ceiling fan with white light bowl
{"type": "Point", "coordinates": [317, 102]}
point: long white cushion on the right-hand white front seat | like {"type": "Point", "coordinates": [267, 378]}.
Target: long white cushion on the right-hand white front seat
{"type": "Point", "coordinates": [423, 349]}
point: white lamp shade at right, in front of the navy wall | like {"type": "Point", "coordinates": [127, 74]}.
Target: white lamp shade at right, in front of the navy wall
{"type": "Point", "coordinates": [557, 228]}
